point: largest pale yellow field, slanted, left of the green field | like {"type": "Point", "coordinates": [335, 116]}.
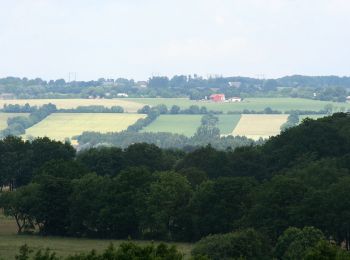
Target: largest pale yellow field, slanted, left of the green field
{"type": "Point", "coordinates": [60, 126]}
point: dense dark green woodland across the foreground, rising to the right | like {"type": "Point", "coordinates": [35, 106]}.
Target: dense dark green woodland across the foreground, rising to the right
{"type": "Point", "coordinates": [285, 198]}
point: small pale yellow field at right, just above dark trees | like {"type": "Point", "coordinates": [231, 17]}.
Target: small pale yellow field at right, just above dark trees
{"type": "Point", "coordinates": [256, 126]}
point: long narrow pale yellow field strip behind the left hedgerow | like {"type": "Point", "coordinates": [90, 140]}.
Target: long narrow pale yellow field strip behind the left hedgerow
{"type": "Point", "coordinates": [129, 106]}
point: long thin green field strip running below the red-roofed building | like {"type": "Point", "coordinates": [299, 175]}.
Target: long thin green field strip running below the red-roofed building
{"type": "Point", "coordinates": [257, 104]}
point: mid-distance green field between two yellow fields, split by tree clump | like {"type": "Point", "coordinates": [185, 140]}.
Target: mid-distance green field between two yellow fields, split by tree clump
{"type": "Point", "coordinates": [188, 124]}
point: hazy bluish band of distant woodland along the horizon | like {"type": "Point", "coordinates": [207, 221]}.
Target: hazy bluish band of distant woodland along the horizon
{"type": "Point", "coordinates": [332, 88]}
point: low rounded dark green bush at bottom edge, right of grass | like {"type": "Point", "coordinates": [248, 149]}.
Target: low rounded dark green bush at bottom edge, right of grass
{"type": "Point", "coordinates": [246, 243]}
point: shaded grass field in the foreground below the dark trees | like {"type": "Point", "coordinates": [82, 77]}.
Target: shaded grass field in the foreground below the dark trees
{"type": "Point", "coordinates": [10, 242]}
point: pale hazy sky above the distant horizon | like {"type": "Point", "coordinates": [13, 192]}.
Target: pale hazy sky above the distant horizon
{"type": "Point", "coordinates": [143, 38]}
